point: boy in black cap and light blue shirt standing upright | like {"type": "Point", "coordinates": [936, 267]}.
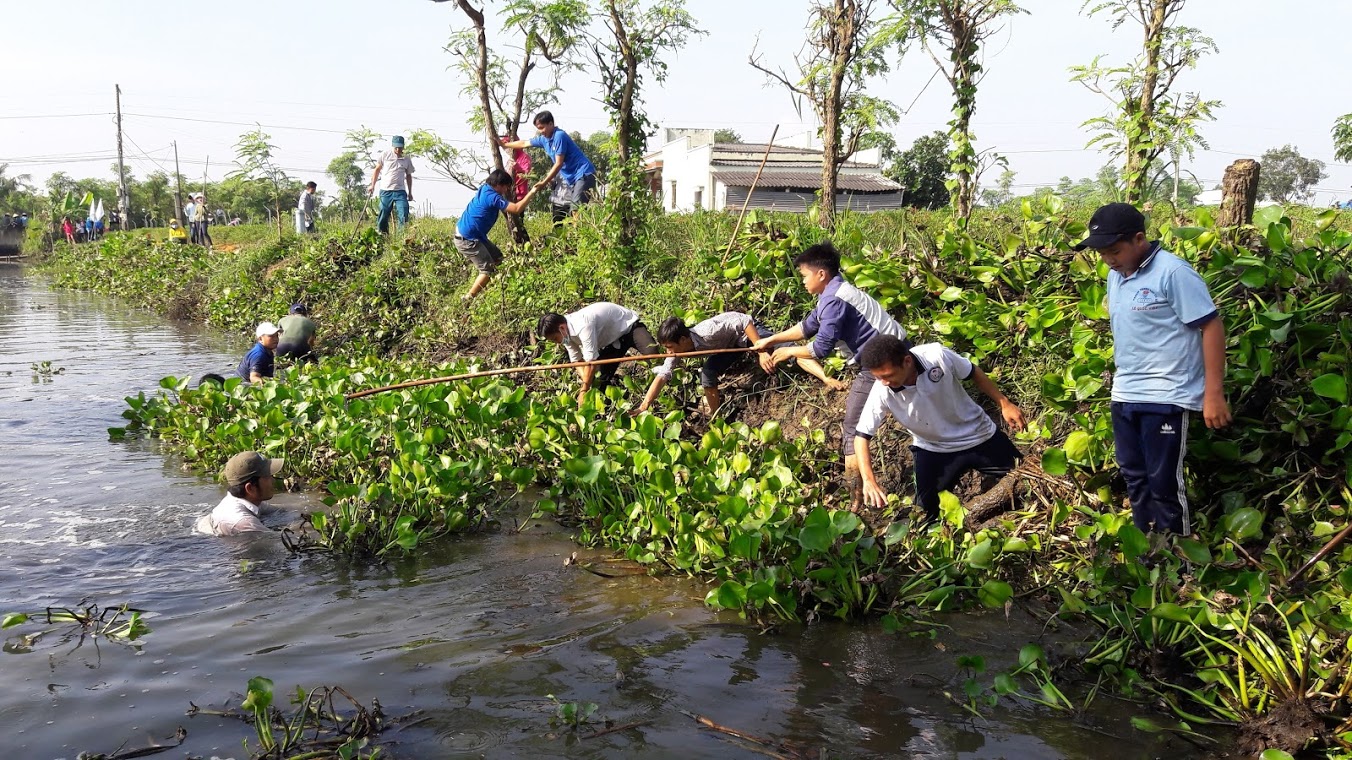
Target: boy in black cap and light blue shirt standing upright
{"type": "Point", "coordinates": [1169, 344]}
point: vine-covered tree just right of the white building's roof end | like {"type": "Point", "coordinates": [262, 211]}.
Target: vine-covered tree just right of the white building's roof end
{"type": "Point", "coordinates": [959, 29]}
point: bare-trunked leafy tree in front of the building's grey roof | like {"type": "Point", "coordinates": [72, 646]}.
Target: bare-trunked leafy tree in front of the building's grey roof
{"type": "Point", "coordinates": [847, 51]}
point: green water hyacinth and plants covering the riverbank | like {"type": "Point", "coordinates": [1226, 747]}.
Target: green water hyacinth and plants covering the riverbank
{"type": "Point", "coordinates": [751, 510]}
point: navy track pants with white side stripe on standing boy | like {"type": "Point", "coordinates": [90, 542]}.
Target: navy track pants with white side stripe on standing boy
{"type": "Point", "coordinates": [1151, 440]}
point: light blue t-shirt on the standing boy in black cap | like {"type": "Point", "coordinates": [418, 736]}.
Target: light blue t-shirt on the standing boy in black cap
{"type": "Point", "coordinates": [1157, 317]}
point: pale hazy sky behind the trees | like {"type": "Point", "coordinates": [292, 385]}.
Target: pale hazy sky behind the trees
{"type": "Point", "coordinates": [310, 71]}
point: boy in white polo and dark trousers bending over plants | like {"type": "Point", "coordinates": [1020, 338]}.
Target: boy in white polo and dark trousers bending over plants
{"type": "Point", "coordinates": [952, 435]}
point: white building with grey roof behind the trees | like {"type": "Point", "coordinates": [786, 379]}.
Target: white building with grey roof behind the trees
{"type": "Point", "coordinates": [690, 171]}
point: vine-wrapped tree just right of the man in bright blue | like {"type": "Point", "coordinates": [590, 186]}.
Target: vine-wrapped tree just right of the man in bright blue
{"type": "Point", "coordinates": [629, 44]}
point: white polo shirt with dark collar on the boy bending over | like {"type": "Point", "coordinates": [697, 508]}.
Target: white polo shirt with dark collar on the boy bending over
{"type": "Point", "coordinates": [938, 412]}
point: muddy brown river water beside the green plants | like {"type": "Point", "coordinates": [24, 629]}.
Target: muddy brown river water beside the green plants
{"type": "Point", "coordinates": [474, 632]}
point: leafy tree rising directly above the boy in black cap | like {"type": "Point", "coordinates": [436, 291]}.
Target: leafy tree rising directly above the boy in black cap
{"type": "Point", "coordinates": [1149, 117]}
